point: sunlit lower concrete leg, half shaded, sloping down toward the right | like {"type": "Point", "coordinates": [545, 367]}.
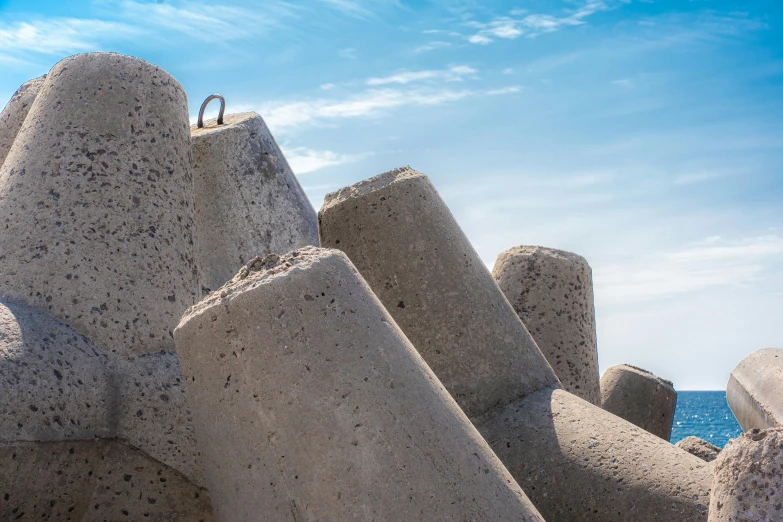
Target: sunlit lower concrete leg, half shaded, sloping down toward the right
{"type": "Point", "coordinates": [579, 463]}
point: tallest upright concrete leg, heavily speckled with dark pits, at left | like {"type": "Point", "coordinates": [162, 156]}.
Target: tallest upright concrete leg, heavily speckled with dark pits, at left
{"type": "Point", "coordinates": [96, 203]}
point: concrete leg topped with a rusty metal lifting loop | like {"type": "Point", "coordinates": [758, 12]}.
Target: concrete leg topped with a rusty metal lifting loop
{"type": "Point", "coordinates": [248, 201]}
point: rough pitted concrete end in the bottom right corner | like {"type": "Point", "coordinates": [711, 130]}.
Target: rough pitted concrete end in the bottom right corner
{"type": "Point", "coordinates": [748, 482]}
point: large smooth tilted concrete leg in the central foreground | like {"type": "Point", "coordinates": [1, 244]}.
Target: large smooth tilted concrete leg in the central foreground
{"type": "Point", "coordinates": [310, 404]}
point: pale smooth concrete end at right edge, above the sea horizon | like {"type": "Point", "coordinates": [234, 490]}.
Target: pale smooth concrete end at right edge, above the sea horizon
{"type": "Point", "coordinates": [755, 389]}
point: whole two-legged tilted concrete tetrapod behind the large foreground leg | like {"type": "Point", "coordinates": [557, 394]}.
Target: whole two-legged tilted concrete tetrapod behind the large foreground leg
{"type": "Point", "coordinates": [575, 461]}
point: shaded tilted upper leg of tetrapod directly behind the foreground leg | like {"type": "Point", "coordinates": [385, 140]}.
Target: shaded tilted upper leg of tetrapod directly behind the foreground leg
{"type": "Point", "coordinates": [401, 236]}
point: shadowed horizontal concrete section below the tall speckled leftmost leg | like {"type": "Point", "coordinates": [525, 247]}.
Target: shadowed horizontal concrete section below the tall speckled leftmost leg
{"type": "Point", "coordinates": [56, 385]}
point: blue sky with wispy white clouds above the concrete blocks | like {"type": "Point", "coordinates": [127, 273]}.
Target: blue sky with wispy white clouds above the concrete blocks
{"type": "Point", "coordinates": [645, 135]}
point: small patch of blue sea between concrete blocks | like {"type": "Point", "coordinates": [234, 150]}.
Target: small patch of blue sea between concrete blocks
{"type": "Point", "coordinates": [704, 414]}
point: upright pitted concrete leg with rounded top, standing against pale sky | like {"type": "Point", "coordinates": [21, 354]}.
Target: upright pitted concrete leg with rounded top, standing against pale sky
{"type": "Point", "coordinates": [552, 292]}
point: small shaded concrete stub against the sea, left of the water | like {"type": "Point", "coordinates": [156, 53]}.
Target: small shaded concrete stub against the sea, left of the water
{"type": "Point", "coordinates": [640, 397]}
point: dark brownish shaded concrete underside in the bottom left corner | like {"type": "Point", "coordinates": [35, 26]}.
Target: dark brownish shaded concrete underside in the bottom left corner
{"type": "Point", "coordinates": [93, 480]}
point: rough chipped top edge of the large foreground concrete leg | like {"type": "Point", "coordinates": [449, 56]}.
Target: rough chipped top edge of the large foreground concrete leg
{"type": "Point", "coordinates": [259, 271]}
